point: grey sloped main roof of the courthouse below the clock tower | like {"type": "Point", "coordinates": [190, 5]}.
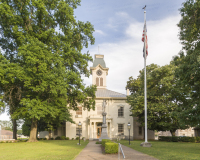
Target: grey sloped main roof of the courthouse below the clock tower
{"type": "Point", "coordinates": [102, 92]}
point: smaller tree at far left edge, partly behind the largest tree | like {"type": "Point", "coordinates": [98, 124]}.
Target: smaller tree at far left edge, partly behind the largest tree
{"type": "Point", "coordinates": [10, 88]}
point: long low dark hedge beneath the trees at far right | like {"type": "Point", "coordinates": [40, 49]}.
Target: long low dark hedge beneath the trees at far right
{"type": "Point", "coordinates": [179, 139]}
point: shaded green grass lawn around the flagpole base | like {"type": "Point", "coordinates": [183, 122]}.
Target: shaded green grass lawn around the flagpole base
{"type": "Point", "coordinates": [167, 150]}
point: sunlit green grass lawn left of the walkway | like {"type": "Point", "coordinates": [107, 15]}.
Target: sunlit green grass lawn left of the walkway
{"type": "Point", "coordinates": [45, 150]}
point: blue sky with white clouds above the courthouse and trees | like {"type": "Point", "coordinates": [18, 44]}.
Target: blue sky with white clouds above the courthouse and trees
{"type": "Point", "coordinates": [118, 28]}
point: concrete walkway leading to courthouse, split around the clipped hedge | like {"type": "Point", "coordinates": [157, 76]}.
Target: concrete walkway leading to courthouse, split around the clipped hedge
{"type": "Point", "coordinates": [93, 152]}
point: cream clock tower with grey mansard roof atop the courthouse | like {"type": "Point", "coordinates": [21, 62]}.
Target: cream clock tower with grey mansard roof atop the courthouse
{"type": "Point", "coordinates": [99, 71]}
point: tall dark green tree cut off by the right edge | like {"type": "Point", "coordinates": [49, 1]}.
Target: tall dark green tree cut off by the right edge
{"type": "Point", "coordinates": [188, 62]}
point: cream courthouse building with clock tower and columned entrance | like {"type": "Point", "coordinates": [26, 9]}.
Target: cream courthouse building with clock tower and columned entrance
{"type": "Point", "coordinates": [118, 112]}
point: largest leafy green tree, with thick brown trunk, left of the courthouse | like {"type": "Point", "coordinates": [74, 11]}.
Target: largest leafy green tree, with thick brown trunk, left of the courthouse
{"type": "Point", "coordinates": [44, 39]}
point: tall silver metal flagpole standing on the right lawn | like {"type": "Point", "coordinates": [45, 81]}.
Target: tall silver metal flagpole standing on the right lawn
{"type": "Point", "coordinates": [145, 82]}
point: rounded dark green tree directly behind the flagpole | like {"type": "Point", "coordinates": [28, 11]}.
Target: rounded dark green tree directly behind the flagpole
{"type": "Point", "coordinates": [162, 103]}
